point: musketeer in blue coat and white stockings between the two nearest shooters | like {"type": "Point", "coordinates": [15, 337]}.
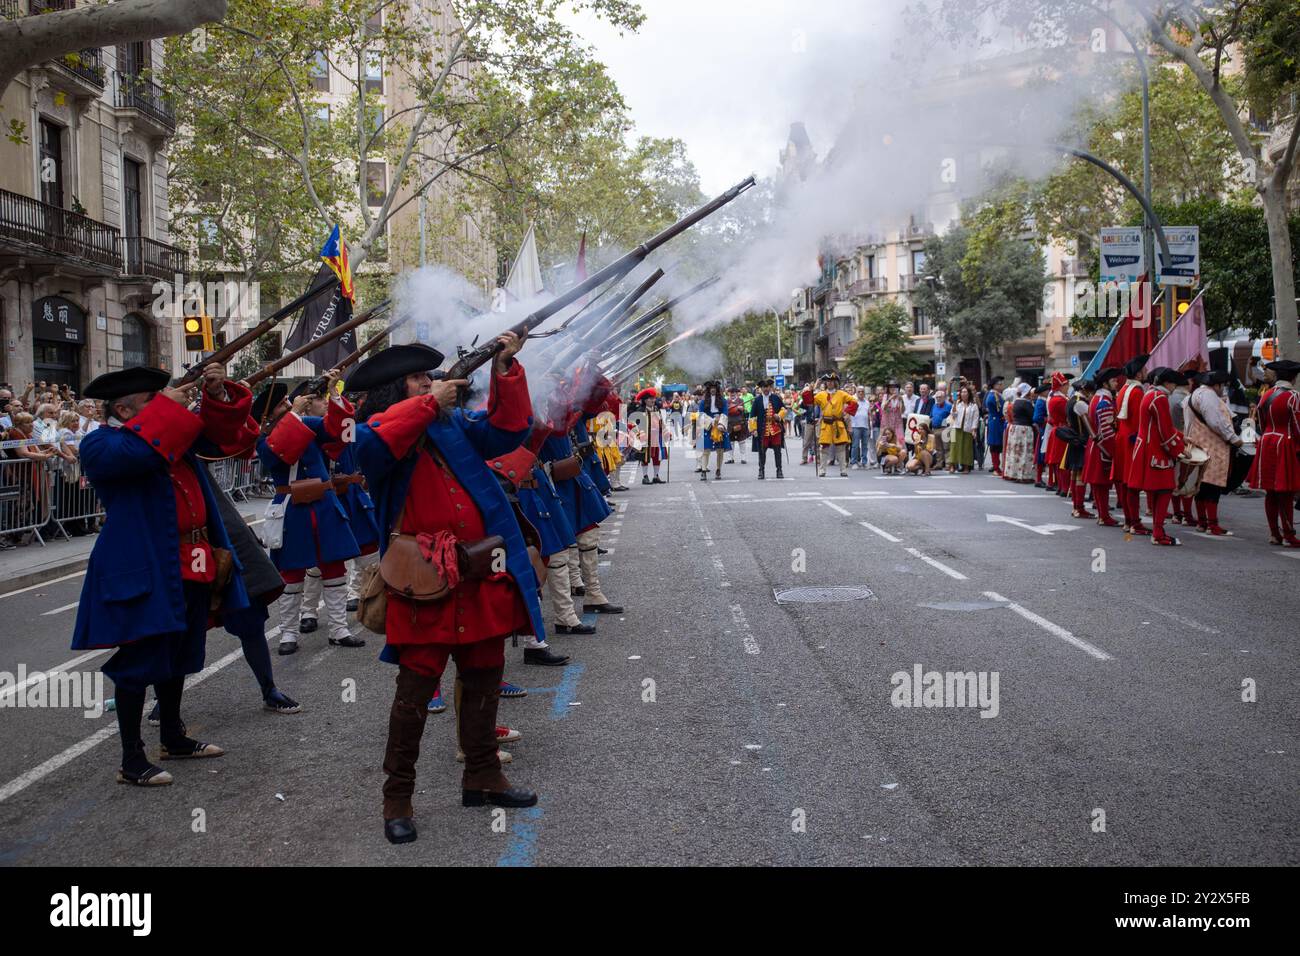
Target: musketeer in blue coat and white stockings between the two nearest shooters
{"type": "Point", "coordinates": [315, 531]}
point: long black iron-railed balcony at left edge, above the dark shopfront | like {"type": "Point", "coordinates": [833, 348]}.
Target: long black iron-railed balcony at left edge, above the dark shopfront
{"type": "Point", "coordinates": [34, 230]}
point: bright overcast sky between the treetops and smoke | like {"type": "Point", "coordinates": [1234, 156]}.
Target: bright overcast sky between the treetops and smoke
{"type": "Point", "coordinates": [729, 77]}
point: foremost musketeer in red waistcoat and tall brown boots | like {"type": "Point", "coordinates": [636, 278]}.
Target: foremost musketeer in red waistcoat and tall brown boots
{"type": "Point", "coordinates": [424, 462]}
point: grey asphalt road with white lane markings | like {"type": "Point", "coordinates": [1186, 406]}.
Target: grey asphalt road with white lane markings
{"type": "Point", "coordinates": [712, 725]}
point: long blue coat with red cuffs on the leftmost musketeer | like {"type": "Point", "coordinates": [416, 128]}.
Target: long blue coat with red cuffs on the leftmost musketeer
{"type": "Point", "coordinates": [133, 582]}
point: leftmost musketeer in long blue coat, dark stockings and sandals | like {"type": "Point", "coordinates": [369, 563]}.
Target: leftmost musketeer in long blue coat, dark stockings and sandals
{"type": "Point", "coordinates": [163, 560]}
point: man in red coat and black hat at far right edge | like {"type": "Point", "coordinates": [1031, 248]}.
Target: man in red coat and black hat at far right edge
{"type": "Point", "coordinates": [1277, 461]}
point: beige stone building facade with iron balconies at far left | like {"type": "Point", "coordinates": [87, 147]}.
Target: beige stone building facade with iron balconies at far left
{"type": "Point", "coordinates": [84, 213]}
